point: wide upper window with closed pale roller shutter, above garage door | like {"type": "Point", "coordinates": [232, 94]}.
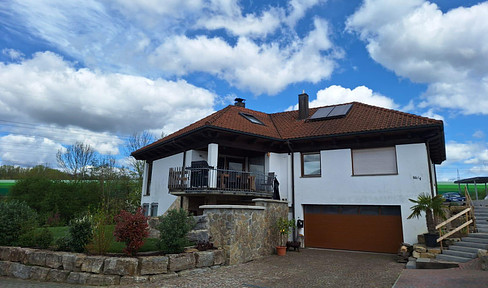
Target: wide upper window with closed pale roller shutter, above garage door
{"type": "Point", "coordinates": [377, 161]}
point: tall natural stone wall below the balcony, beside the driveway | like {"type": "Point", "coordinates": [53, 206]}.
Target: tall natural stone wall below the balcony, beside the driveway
{"type": "Point", "coordinates": [245, 233]}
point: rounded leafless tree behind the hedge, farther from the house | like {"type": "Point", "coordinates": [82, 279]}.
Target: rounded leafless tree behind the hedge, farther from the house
{"type": "Point", "coordinates": [76, 158]}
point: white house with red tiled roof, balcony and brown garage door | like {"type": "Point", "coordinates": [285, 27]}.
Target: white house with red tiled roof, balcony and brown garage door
{"type": "Point", "coordinates": [346, 170]}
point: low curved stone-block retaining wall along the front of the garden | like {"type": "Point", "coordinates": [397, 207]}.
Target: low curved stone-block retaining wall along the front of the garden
{"type": "Point", "coordinates": [75, 268]}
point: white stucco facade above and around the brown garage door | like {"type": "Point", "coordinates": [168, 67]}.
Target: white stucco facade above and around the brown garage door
{"type": "Point", "coordinates": [338, 186]}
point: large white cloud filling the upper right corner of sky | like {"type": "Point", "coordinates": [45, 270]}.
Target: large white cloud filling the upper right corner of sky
{"type": "Point", "coordinates": [416, 40]}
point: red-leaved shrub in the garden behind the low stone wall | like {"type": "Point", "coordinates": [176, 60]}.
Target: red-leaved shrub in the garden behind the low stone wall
{"type": "Point", "coordinates": [131, 229]}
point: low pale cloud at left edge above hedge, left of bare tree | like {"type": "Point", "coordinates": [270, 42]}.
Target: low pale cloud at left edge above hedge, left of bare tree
{"type": "Point", "coordinates": [28, 150]}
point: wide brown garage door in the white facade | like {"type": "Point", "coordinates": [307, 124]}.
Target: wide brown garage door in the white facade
{"type": "Point", "coordinates": [347, 227]}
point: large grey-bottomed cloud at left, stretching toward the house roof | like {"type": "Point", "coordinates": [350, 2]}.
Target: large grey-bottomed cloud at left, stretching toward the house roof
{"type": "Point", "coordinates": [46, 102]}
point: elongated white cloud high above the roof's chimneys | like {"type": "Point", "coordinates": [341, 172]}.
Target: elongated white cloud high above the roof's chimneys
{"type": "Point", "coordinates": [265, 68]}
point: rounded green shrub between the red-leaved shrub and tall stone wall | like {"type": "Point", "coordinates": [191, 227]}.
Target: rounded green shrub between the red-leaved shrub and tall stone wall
{"type": "Point", "coordinates": [174, 228]}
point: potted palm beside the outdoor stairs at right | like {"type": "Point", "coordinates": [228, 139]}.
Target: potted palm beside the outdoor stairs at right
{"type": "Point", "coordinates": [432, 207]}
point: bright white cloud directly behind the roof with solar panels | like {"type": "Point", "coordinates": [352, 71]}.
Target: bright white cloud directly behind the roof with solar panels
{"type": "Point", "coordinates": [336, 94]}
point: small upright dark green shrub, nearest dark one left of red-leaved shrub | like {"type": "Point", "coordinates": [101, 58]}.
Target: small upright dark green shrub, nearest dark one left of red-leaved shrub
{"type": "Point", "coordinates": [80, 233]}
